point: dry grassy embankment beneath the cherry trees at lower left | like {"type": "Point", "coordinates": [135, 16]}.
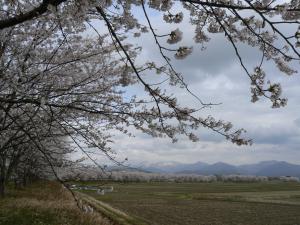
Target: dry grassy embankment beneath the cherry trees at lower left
{"type": "Point", "coordinates": [44, 203]}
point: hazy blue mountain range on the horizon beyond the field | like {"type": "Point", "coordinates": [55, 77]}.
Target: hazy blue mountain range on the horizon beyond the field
{"type": "Point", "coordinates": [265, 168]}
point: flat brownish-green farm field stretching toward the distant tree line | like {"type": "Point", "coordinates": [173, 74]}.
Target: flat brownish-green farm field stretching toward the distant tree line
{"type": "Point", "coordinates": [270, 203]}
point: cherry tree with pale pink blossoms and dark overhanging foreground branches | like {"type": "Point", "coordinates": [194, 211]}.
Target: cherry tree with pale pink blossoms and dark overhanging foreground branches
{"type": "Point", "coordinates": [57, 78]}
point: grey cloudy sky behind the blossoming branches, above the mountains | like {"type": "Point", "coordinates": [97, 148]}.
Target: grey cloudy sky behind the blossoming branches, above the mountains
{"type": "Point", "coordinates": [215, 75]}
